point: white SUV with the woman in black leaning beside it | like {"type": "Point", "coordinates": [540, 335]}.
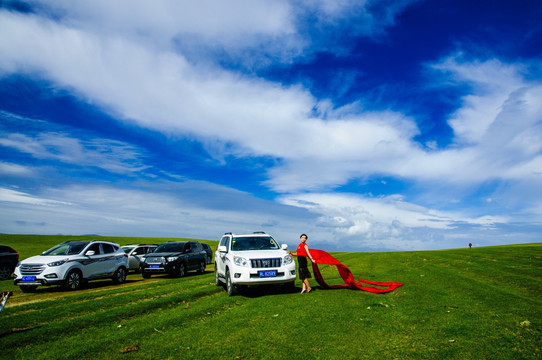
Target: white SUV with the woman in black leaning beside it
{"type": "Point", "coordinates": [252, 259]}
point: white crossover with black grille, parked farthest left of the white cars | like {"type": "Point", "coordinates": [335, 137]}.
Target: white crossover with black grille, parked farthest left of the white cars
{"type": "Point", "coordinates": [72, 263]}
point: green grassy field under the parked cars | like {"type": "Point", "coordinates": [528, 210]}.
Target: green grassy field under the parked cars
{"type": "Point", "coordinates": [480, 303]}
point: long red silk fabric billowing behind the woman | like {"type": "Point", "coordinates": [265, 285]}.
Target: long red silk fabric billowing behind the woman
{"type": "Point", "coordinates": [322, 257]}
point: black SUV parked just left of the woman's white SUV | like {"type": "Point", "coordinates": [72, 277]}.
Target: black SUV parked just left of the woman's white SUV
{"type": "Point", "coordinates": [175, 258]}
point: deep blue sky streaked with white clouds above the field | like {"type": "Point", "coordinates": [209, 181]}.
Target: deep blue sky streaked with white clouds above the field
{"type": "Point", "coordinates": [369, 125]}
